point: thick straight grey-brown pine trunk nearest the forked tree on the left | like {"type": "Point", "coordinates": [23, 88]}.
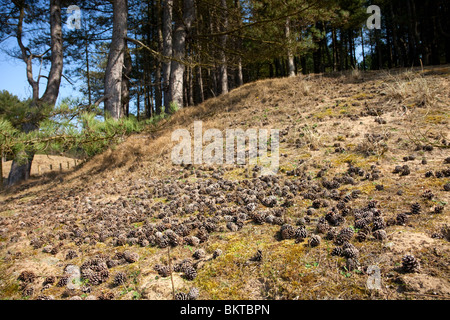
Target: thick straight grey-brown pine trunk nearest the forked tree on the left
{"type": "Point", "coordinates": [114, 68]}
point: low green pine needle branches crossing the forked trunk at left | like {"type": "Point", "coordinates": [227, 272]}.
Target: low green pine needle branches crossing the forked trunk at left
{"type": "Point", "coordinates": [66, 128]}
